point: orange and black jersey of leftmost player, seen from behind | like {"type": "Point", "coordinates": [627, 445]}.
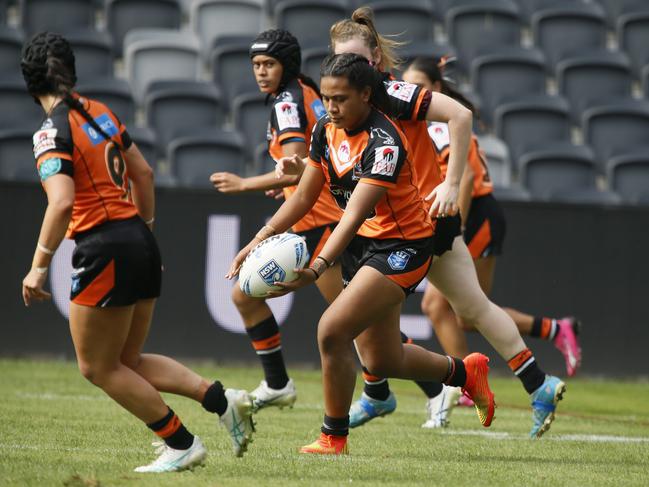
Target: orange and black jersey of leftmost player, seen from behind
{"type": "Point", "coordinates": [66, 143]}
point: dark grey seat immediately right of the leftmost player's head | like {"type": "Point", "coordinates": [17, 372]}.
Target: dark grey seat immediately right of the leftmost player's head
{"type": "Point", "coordinates": [93, 54]}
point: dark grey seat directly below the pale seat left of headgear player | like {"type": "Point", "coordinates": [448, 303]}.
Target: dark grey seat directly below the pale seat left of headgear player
{"type": "Point", "coordinates": [180, 108]}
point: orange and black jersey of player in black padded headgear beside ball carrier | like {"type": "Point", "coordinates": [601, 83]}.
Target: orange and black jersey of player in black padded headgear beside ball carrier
{"type": "Point", "coordinates": [294, 113]}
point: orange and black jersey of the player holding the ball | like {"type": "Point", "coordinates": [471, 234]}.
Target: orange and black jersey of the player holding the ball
{"type": "Point", "coordinates": [374, 153]}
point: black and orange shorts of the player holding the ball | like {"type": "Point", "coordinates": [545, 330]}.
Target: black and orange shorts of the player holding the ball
{"type": "Point", "coordinates": [404, 262]}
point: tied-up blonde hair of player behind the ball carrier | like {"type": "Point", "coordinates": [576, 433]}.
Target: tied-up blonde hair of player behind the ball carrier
{"type": "Point", "coordinates": [361, 25]}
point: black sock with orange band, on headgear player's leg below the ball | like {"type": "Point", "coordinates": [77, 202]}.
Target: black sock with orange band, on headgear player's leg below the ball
{"type": "Point", "coordinates": [268, 344]}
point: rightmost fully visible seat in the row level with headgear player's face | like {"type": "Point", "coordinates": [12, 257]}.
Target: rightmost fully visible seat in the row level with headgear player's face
{"type": "Point", "coordinates": [594, 79]}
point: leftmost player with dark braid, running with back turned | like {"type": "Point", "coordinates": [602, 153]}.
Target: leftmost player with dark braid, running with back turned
{"type": "Point", "coordinates": [100, 192]}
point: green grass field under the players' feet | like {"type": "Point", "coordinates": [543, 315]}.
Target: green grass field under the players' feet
{"type": "Point", "coordinates": [56, 429]}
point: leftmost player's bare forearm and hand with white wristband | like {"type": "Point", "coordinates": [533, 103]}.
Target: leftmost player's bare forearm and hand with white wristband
{"type": "Point", "coordinates": [60, 200]}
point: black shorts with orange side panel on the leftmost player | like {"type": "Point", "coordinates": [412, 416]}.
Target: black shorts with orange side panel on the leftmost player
{"type": "Point", "coordinates": [116, 263]}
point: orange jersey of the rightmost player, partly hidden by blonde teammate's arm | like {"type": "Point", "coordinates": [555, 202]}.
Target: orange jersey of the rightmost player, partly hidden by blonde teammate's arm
{"type": "Point", "coordinates": [482, 184]}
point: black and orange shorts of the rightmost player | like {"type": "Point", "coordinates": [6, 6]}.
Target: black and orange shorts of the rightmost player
{"type": "Point", "coordinates": [485, 227]}
